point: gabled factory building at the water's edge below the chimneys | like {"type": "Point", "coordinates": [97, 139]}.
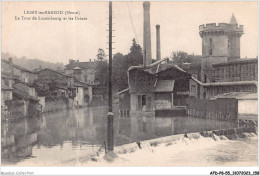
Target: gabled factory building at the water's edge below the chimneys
{"type": "Point", "coordinates": [155, 87]}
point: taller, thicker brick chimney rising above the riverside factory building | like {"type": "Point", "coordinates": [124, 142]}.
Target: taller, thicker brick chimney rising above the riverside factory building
{"type": "Point", "coordinates": [147, 35]}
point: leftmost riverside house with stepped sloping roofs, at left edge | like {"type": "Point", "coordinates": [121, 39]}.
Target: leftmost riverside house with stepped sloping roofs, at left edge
{"type": "Point", "coordinates": [18, 94]}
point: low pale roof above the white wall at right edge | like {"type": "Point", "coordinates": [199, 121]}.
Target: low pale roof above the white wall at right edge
{"type": "Point", "coordinates": [237, 95]}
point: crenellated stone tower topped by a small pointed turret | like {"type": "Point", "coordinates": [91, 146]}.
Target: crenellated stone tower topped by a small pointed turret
{"type": "Point", "coordinates": [221, 43]}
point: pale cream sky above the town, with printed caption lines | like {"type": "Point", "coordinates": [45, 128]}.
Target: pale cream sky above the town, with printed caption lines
{"type": "Point", "coordinates": [59, 41]}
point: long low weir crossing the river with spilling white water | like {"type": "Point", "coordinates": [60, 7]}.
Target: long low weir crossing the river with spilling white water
{"type": "Point", "coordinates": [216, 135]}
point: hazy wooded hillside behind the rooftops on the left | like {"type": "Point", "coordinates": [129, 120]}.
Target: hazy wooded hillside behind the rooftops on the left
{"type": "Point", "coordinates": [31, 64]}
